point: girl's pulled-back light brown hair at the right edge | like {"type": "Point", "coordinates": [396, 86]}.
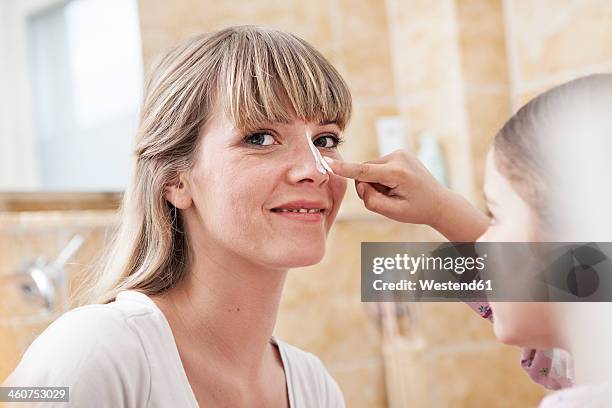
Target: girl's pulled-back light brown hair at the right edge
{"type": "Point", "coordinates": [526, 149]}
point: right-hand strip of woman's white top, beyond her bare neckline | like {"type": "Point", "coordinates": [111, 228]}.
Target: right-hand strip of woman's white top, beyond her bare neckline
{"type": "Point", "coordinates": [308, 378]}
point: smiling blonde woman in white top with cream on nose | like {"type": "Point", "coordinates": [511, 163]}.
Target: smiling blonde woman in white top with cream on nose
{"type": "Point", "coordinates": [224, 198]}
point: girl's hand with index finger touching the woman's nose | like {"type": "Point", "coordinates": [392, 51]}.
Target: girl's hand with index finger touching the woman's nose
{"type": "Point", "coordinates": [399, 187]}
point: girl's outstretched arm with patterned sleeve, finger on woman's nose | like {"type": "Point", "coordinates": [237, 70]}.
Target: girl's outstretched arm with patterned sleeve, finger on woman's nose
{"type": "Point", "coordinates": [399, 187]}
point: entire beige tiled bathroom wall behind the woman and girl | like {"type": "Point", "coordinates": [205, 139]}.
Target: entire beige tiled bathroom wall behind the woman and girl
{"type": "Point", "coordinates": [457, 68]}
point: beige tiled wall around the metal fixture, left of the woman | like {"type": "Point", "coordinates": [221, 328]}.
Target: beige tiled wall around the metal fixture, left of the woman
{"type": "Point", "coordinates": [24, 237]}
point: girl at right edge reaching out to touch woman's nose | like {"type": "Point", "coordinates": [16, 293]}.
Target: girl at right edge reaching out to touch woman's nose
{"type": "Point", "coordinates": [545, 180]}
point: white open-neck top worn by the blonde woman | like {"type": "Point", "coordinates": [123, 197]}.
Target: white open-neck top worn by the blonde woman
{"type": "Point", "coordinates": [123, 354]}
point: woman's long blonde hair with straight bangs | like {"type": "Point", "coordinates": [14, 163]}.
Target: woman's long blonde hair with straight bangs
{"type": "Point", "coordinates": [256, 76]}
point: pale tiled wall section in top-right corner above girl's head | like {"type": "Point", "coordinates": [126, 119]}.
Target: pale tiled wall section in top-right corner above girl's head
{"type": "Point", "coordinates": [551, 42]}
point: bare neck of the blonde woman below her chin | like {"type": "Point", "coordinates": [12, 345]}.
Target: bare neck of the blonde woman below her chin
{"type": "Point", "coordinates": [226, 308]}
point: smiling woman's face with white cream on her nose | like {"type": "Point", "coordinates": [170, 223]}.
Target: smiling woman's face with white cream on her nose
{"type": "Point", "coordinates": [242, 185]}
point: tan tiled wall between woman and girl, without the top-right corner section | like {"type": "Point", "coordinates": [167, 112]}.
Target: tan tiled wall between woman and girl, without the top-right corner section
{"type": "Point", "coordinates": [424, 61]}
